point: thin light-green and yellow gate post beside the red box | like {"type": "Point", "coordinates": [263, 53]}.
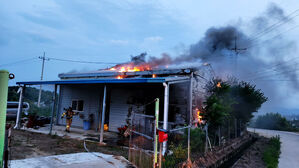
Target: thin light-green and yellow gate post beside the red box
{"type": "Point", "coordinates": [155, 133]}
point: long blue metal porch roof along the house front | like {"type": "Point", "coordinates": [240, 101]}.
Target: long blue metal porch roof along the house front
{"type": "Point", "coordinates": [106, 81]}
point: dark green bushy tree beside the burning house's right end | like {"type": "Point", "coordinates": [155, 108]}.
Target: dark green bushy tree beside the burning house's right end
{"type": "Point", "coordinates": [231, 100]}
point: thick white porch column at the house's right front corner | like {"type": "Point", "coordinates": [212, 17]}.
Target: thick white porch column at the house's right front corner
{"type": "Point", "coordinates": [165, 119]}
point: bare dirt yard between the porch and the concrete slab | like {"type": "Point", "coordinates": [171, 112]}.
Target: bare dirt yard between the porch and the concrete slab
{"type": "Point", "coordinates": [26, 144]}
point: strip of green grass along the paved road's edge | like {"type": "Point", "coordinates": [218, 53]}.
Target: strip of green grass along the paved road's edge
{"type": "Point", "coordinates": [272, 152]}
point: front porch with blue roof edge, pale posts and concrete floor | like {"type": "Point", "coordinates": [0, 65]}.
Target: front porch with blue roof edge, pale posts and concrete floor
{"type": "Point", "coordinates": [163, 83]}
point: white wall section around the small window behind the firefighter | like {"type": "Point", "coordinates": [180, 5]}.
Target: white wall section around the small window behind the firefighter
{"type": "Point", "coordinates": [90, 94]}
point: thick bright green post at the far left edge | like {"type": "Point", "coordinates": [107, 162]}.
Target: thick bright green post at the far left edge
{"type": "Point", "coordinates": [4, 75]}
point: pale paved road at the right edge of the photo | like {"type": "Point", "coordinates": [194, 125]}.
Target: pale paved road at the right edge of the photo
{"type": "Point", "coordinates": [289, 156]}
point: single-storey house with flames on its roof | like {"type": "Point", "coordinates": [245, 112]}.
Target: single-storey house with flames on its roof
{"type": "Point", "coordinates": [106, 98]}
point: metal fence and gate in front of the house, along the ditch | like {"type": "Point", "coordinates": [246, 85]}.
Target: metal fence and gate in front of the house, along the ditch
{"type": "Point", "coordinates": [185, 145]}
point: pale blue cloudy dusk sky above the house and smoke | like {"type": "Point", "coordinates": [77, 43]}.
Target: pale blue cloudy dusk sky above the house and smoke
{"type": "Point", "coordinates": [110, 31]}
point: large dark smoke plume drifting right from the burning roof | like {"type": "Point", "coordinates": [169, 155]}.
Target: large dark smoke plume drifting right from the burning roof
{"type": "Point", "coordinates": [256, 51]}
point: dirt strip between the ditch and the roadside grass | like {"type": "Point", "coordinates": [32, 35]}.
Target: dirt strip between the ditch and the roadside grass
{"type": "Point", "coordinates": [252, 157]}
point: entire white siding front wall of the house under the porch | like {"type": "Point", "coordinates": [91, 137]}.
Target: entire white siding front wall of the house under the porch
{"type": "Point", "coordinates": [118, 106]}
